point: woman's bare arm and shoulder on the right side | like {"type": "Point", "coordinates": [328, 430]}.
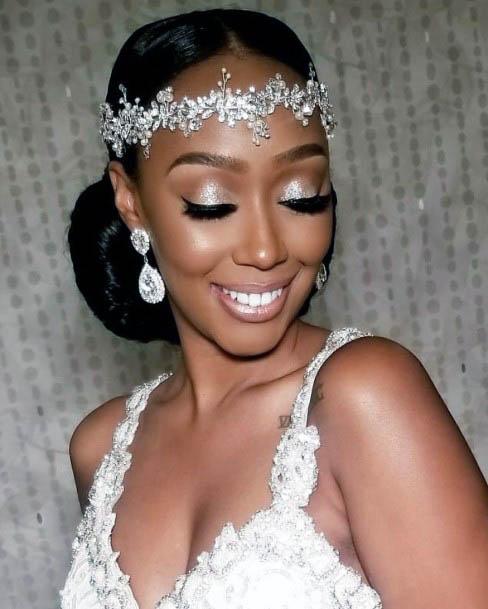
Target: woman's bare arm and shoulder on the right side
{"type": "Point", "coordinates": [416, 499]}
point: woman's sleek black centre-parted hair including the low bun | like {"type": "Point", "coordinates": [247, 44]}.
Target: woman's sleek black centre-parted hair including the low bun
{"type": "Point", "coordinates": [105, 264]}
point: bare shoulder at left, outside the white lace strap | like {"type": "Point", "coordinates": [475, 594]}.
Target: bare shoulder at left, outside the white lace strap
{"type": "Point", "coordinates": [91, 440]}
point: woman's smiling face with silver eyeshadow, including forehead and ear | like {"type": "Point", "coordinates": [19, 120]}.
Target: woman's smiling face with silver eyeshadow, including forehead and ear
{"type": "Point", "coordinates": [238, 230]}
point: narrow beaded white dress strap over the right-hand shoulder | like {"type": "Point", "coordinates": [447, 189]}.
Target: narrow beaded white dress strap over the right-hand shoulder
{"type": "Point", "coordinates": [336, 339]}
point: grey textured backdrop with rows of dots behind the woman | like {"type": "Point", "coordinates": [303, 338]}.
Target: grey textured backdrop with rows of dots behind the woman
{"type": "Point", "coordinates": [410, 163]}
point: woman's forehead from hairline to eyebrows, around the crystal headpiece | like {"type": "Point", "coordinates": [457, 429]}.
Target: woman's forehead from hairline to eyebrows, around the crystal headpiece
{"type": "Point", "coordinates": [218, 137]}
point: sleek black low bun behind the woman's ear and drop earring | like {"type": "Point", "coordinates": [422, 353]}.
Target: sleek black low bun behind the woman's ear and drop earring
{"type": "Point", "coordinates": [107, 269]}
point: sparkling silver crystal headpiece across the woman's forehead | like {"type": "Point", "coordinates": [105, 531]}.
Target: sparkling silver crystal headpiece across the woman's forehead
{"type": "Point", "coordinates": [134, 123]}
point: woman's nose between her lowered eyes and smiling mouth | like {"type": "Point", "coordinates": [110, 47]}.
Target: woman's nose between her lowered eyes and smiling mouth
{"type": "Point", "coordinates": [261, 243]}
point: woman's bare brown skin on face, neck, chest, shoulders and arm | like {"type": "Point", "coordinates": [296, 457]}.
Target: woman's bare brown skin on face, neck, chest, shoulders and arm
{"type": "Point", "coordinates": [399, 495]}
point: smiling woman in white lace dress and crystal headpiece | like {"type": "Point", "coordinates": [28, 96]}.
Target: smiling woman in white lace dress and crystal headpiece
{"type": "Point", "coordinates": [212, 229]}
